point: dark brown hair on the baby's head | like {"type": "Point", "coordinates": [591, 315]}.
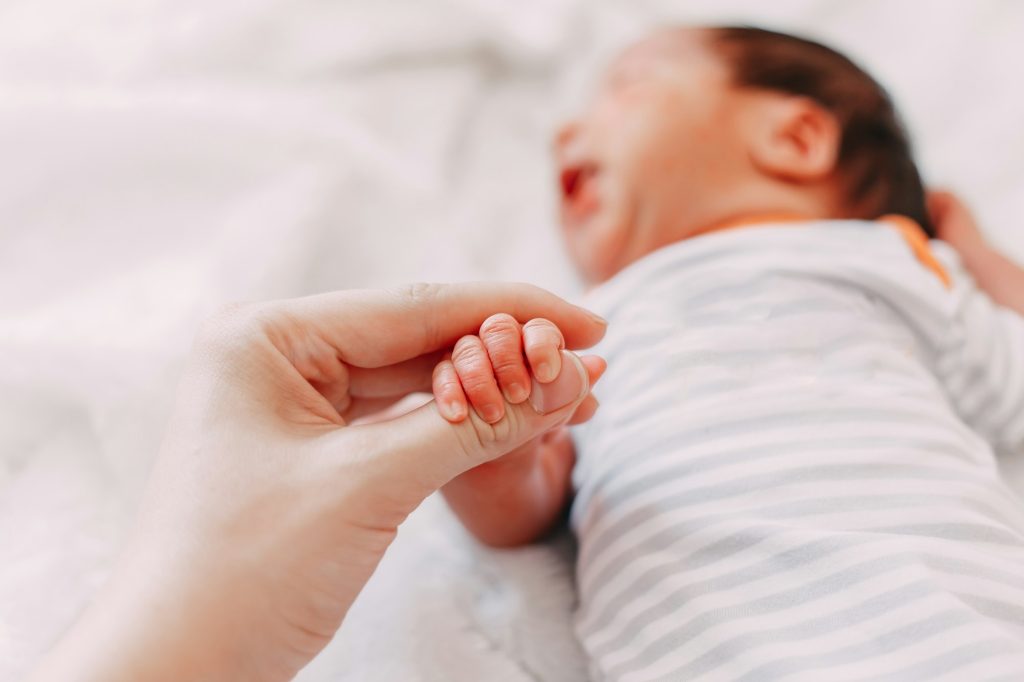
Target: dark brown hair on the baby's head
{"type": "Point", "coordinates": [875, 157]}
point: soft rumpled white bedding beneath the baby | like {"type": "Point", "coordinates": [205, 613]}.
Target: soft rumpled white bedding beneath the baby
{"type": "Point", "coordinates": [161, 157]}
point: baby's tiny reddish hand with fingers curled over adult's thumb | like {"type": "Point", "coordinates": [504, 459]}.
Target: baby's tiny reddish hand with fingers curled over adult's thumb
{"type": "Point", "coordinates": [491, 368]}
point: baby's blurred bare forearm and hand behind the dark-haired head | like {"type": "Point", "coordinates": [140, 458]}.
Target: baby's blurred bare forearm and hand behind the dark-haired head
{"type": "Point", "coordinates": [999, 277]}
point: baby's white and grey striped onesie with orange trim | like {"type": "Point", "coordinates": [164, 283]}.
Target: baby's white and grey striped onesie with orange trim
{"type": "Point", "coordinates": [793, 472]}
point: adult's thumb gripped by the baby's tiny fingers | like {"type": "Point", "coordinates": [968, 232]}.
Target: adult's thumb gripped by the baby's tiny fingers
{"type": "Point", "coordinates": [422, 450]}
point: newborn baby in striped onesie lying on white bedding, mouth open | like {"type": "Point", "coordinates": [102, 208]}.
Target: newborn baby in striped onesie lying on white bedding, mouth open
{"type": "Point", "coordinates": [792, 475]}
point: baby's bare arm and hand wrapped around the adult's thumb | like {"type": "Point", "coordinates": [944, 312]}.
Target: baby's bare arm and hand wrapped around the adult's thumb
{"type": "Point", "coordinates": [518, 498]}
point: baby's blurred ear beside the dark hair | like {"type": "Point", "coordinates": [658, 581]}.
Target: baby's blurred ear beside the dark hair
{"type": "Point", "coordinates": [793, 139]}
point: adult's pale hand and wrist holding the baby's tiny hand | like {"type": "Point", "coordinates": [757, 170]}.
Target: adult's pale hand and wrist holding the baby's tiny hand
{"type": "Point", "coordinates": [267, 514]}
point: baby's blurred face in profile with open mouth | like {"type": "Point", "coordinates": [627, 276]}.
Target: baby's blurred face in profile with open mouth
{"type": "Point", "coordinates": [643, 160]}
